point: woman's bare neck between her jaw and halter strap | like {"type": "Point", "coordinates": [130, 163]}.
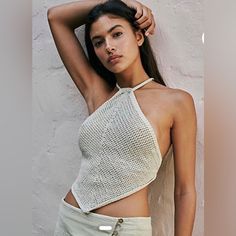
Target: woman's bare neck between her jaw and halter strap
{"type": "Point", "coordinates": [132, 76]}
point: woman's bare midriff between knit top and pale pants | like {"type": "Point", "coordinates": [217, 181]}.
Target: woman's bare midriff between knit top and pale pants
{"type": "Point", "coordinates": [134, 205]}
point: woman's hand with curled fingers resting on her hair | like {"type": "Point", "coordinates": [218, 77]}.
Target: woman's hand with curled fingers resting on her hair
{"type": "Point", "coordinates": [143, 15]}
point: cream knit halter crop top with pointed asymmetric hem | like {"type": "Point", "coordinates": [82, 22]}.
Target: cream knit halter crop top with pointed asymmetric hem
{"type": "Point", "coordinates": [120, 152]}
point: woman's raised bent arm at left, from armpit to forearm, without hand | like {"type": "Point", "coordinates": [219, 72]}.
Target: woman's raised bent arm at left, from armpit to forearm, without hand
{"type": "Point", "coordinates": [63, 20]}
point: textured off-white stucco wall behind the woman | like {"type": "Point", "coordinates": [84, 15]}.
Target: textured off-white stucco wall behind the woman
{"type": "Point", "coordinates": [59, 109]}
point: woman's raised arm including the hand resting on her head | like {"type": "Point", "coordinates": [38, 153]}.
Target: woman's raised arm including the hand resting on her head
{"type": "Point", "coordinates": [63, 20]}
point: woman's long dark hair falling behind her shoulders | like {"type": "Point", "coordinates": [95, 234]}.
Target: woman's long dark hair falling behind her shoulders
{"type": "Point", "coordinates": [117, 7]}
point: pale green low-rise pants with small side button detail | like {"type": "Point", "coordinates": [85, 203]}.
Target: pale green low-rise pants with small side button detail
{"type": "Point", "coordinates": [72, 221]}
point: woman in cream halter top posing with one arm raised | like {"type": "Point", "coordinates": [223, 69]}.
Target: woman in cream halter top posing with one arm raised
{"type": "Point", "coordinates": [130, 109]}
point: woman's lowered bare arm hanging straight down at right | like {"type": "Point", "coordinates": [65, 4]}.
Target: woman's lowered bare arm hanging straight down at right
{"type": "Point", "coordinates": [184, 143]}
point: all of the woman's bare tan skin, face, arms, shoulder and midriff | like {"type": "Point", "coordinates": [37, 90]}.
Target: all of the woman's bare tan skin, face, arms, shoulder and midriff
{"type": "Point", "coordinates": [171, 112]}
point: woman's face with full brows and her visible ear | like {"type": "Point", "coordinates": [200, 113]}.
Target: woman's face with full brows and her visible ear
{"type": "Point", "coordinates": [112, 35]}
